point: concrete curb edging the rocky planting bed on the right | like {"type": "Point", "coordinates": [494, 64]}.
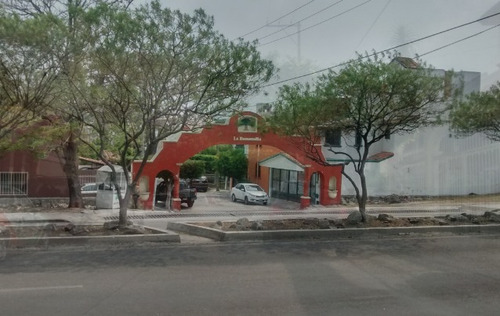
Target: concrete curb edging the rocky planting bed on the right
{"type": "Point", "coordinates": [343, 233]}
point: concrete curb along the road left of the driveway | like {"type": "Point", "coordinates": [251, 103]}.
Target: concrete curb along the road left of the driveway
{"type": "Point", "coordinates": [89, 241]}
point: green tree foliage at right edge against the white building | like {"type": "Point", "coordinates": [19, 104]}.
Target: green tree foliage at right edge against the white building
{"type": "Point", "coordinates": [478, 113]}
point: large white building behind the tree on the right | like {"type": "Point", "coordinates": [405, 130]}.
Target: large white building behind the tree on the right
{"type": "Point", "coordinates": [432, 161]}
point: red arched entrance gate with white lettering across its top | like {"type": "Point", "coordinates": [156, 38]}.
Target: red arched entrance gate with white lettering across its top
{"type": "Point", "coordinates": [241, 129]}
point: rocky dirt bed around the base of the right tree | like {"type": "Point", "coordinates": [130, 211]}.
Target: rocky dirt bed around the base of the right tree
{"type": "Point", "coordinates": [383, 220]}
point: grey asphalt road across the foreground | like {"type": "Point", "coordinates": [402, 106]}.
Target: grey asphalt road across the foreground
{"type": "Point", "coordinates": [408, 276]}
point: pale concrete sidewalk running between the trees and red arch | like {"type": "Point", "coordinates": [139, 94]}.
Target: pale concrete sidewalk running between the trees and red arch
{"type": "Point", "coordinates": [98, 217]}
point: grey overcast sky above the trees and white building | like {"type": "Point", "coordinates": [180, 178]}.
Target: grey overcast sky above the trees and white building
{"type": "Point", "coordinates": [332, 31]}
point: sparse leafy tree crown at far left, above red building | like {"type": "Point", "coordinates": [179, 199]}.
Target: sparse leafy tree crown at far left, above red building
{"type": "Point", "coordinates": [27, 76]}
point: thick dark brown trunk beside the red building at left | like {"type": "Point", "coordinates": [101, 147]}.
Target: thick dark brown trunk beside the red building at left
{"type": "Point", "coordinates": [70, 168]}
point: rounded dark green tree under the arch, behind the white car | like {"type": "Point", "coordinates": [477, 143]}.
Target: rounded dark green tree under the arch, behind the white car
{"type": "Point", "coordinates": [233, 163]}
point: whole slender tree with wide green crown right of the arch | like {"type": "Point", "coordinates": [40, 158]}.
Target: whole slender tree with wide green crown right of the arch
{"type": "Point", "coordinates": [367, 101]}
